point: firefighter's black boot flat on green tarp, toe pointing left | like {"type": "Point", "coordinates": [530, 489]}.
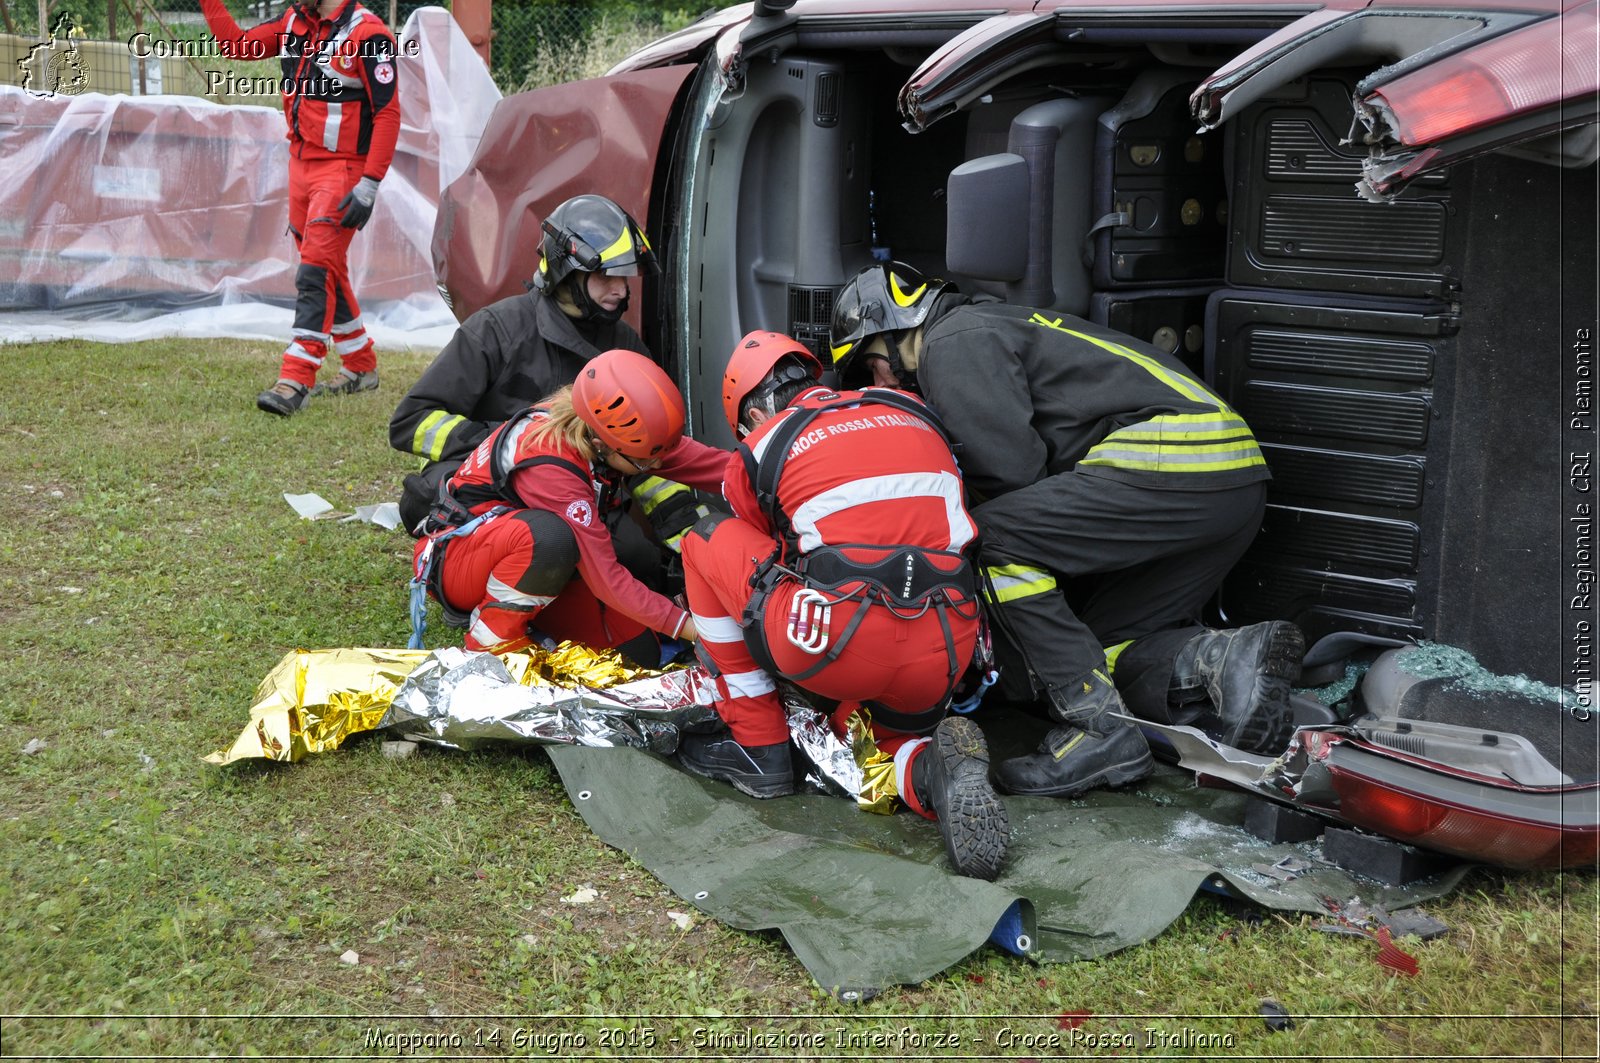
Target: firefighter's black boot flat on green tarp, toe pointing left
{"type": "Point", "coordinates": [1094, 748]}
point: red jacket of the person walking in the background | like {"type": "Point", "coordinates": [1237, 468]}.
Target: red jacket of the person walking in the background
{"type": "Point", "coordinates": [338, 79]}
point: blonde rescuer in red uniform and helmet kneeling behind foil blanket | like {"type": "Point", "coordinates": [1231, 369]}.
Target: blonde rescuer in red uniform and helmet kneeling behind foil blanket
{"type": "Point", "coordinates": [551, 486]}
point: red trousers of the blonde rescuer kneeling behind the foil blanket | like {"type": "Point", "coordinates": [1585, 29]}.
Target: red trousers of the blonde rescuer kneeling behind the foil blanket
{"type": "Point", "coordinates": [505, 580]}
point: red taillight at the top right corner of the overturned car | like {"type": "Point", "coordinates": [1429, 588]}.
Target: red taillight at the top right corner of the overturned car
{"type": "Point", "coordinates": [1513, 74]}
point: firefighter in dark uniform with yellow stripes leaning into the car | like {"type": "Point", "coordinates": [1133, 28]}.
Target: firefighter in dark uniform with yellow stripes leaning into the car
{"type": "Point", "coordinates": [1116, 491]}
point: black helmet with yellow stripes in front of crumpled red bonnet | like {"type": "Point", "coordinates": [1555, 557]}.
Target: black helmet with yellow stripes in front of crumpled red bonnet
{"type": "Point", "coordinates": [590, 235]}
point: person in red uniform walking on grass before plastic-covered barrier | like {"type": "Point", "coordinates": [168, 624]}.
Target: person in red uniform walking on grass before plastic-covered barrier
{"type": "Point", "coordinates": [340, 100]}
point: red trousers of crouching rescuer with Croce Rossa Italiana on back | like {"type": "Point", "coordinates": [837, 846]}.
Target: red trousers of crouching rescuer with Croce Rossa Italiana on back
{"type": "Point", "coordinates": [897, 662]}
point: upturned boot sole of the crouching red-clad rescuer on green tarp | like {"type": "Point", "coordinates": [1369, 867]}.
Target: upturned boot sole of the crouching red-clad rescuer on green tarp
{"type": "Point", "coordinates": [951, 779]}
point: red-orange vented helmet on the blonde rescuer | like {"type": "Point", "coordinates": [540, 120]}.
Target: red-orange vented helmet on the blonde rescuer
{"type": "Point", "coordinates": [631, 404]}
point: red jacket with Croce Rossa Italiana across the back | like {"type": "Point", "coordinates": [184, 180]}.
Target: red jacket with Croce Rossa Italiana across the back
{"type": "Point", "coordinates": [865, 473]}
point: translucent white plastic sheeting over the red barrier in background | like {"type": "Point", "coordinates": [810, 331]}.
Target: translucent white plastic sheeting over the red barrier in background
{"type": "Point", "coordinates": [137, 217]}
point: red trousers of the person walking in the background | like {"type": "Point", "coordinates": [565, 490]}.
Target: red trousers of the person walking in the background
{"type": "Point", "coordinates": [326, 308]}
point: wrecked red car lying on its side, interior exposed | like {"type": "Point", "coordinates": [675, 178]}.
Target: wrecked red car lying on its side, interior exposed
{"type": "Point", "coordinates": [1369, 225]}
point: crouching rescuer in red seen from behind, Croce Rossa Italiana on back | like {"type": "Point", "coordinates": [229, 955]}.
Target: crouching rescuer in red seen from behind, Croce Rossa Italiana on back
{"type": "Point", "coordinates": [841, 571]}
